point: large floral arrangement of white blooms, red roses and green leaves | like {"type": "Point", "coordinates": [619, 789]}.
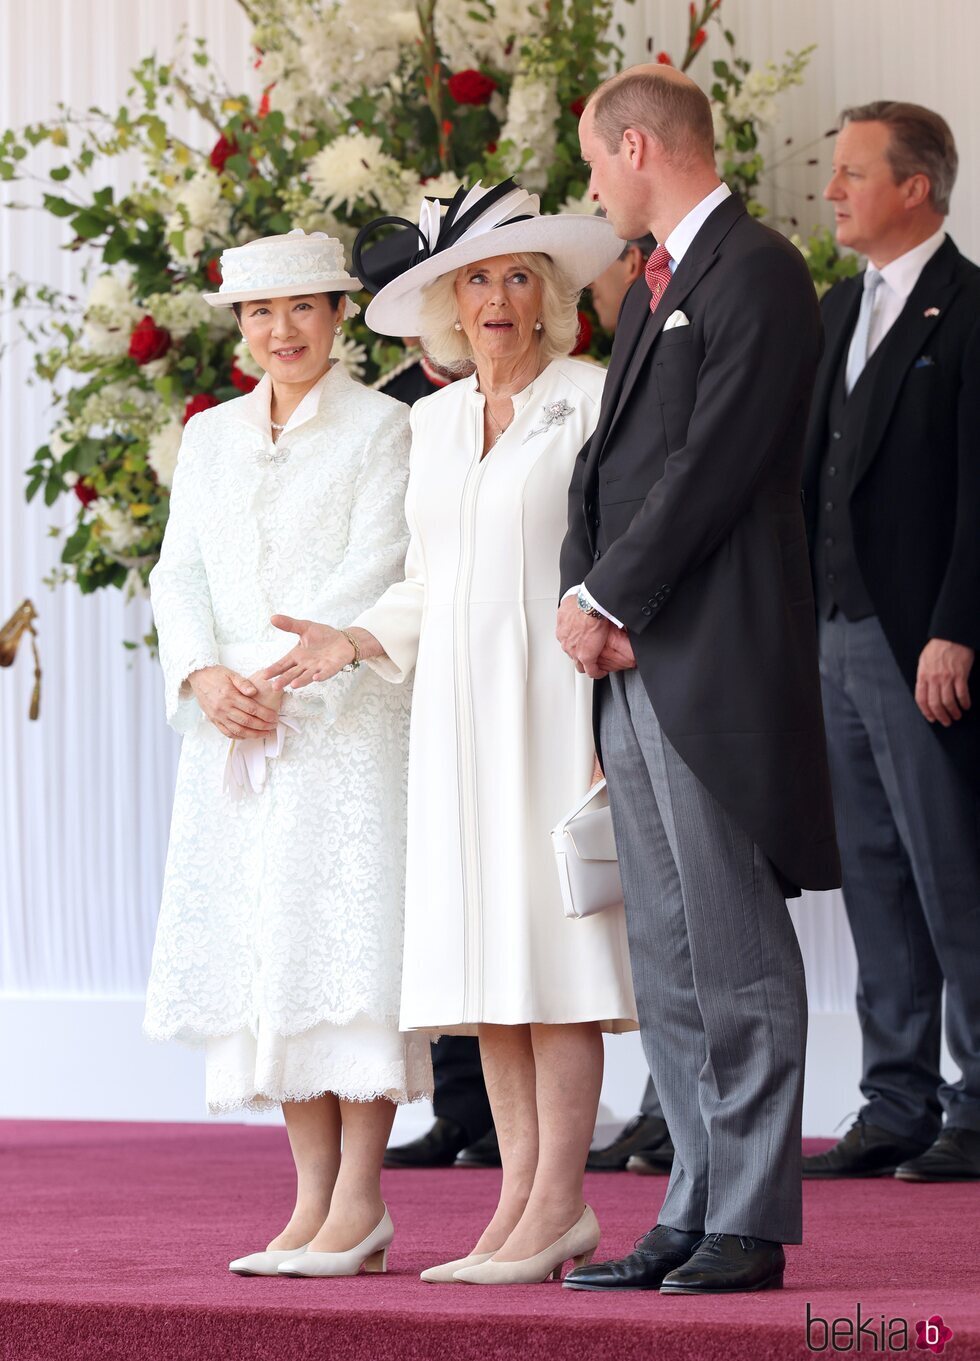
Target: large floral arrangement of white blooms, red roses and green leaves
{"type": "Point", "coordinates": [363, 108]}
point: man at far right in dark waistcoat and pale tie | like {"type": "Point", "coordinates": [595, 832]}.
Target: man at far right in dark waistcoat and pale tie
{"type": "Point", "coordinates": [894, 510]}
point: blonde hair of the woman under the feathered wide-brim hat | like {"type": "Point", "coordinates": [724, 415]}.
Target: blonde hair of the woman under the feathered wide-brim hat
{"type": "Point", "coordinates": [560, 315]}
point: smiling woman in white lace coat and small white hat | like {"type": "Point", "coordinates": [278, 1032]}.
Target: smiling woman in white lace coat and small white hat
{"type": "Point", "coordinates": [280, 940]}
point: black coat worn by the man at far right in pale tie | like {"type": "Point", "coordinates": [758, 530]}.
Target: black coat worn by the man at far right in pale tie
{"type": "Point", "coordinates": [915, 493]}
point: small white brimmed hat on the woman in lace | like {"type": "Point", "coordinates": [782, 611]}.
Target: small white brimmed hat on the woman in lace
{"type": "Point", "coordinates": [284, 267]}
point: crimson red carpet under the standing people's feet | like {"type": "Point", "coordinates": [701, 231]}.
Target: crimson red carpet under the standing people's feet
{"type": "Point", "coordinates": [116, 1241]}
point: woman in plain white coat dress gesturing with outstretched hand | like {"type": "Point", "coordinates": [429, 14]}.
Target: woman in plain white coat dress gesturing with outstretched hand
{"type": "Point", "coordinates": [502, 737]}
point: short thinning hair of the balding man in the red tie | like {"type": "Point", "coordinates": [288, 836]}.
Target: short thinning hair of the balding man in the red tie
{"type": "Point", "coordinates": [674, 112]}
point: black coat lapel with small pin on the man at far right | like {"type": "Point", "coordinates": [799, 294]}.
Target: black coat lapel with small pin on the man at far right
{"type": "Point", "coordinates": [906, 342]}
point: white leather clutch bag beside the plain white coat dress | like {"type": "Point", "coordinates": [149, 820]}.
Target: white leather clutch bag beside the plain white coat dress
{"type": "Point", "coordinates": [585, 847]}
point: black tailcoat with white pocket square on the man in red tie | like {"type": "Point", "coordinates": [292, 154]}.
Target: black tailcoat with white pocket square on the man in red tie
{"type": "Point", "coordinates": [687, 523]}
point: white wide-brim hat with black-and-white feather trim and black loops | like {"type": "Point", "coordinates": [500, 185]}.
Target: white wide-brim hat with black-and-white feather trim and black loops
{"type": "Point", "coordinates": [481, 224]}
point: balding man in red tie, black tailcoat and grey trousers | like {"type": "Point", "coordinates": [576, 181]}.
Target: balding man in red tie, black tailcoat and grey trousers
{"type": "Point", "coordinates": [685, 578]}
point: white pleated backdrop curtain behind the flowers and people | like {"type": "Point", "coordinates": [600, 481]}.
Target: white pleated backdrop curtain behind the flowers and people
{"type": "Point", "coordinates": [85, 794]}
